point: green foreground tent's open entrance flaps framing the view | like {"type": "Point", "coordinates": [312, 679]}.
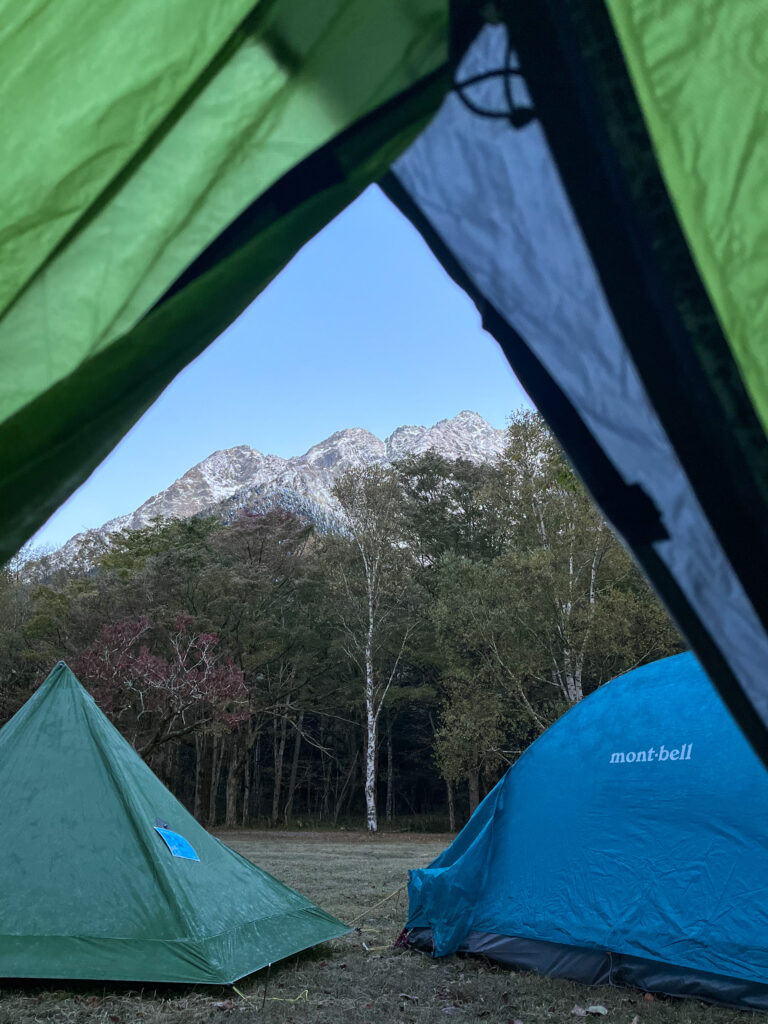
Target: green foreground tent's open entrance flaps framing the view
{"type": "Point", "coordinates": [590, 172]}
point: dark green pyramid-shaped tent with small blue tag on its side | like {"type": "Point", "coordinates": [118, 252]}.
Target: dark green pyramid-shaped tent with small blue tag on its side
{"type": "Point", "coordinates": [106, 876]}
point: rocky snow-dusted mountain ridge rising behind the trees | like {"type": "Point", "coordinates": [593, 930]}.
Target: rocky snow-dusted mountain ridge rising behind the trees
{"type": "Point", "coordinates": [243, 478]}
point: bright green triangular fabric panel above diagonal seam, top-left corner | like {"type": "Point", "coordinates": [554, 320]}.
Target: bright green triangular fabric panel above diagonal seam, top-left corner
{"type": "Point", "coordinates": [76, 72]}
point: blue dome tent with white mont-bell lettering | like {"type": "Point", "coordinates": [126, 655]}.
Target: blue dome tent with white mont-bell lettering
{"type": "Point", "coordinates": [628, 845]}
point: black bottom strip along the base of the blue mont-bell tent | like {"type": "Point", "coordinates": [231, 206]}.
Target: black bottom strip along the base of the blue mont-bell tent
{"type": "Point", "coordinates": [593, 967]}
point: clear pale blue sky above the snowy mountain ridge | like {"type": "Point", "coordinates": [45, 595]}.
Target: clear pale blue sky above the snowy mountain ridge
{"type": "Point", "coordinates": [363, 329]}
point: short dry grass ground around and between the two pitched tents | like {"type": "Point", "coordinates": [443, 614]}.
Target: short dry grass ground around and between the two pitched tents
{"type": "Point", "coordinates": [359, 978]}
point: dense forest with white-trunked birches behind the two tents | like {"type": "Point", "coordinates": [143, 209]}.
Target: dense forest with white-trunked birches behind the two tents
{"type": "Point", "coordinates": [387, 666]}
